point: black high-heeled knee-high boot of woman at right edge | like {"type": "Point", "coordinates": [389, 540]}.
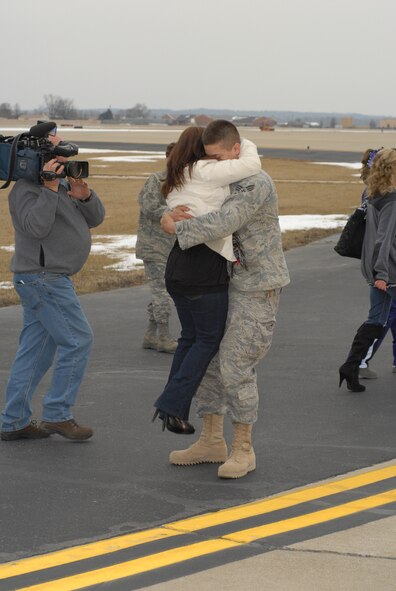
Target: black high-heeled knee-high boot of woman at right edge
{"type": "Point", "coordinates": [364, 338]}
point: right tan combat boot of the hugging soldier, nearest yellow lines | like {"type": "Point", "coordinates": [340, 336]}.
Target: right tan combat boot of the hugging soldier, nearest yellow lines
{"type": "Point", "coordinates": [242, 459]}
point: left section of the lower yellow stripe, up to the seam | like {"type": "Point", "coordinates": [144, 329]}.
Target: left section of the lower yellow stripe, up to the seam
{"type": "Point", "coordinates": [133, 567]}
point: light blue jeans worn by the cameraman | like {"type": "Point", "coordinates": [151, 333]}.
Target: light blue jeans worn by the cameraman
{"type": "Point", "coordinates": [53, 323]}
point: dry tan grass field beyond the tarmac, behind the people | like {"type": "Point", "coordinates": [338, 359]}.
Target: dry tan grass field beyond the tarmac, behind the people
{"type": "Point", "coordinates": [303, 188]}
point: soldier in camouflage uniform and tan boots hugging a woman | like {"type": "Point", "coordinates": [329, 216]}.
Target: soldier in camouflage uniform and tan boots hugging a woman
{"type": "Point", "coordinates": [230, 385]}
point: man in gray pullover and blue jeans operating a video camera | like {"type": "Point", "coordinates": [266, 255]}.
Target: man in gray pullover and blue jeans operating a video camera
{"type": "Point", "coordinates": [52, 222]}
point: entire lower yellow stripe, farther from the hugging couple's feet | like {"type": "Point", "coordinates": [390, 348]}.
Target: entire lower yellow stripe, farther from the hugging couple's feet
{"type": "Point", "coordinates": [181, 554]}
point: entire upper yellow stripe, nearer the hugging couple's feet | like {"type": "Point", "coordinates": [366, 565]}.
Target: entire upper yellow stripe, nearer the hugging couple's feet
{"type": "Point", "coordinates": [192, 524]}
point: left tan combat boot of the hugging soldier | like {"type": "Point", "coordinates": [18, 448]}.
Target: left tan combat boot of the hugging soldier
{"type": "Point", "coordinates": [210, 447]}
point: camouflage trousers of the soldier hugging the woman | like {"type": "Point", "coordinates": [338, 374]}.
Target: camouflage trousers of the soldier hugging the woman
{"type": "Point", "coordinates": [230, 383]}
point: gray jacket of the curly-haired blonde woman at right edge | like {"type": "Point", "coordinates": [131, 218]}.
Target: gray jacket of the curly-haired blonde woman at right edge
{"type": "Point", "coordinates": [379, 246]}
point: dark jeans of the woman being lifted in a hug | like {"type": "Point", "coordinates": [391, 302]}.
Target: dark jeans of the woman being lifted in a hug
{"type": "Point", "coordinates": [202, 320]}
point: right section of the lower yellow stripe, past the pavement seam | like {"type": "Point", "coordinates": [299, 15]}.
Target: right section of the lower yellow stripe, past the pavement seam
{"type": "Point", "coordinates": [272, 529]}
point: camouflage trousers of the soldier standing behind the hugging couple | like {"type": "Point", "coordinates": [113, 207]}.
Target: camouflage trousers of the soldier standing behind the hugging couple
{"type": "Point", "coordinates": [159, 308]}
